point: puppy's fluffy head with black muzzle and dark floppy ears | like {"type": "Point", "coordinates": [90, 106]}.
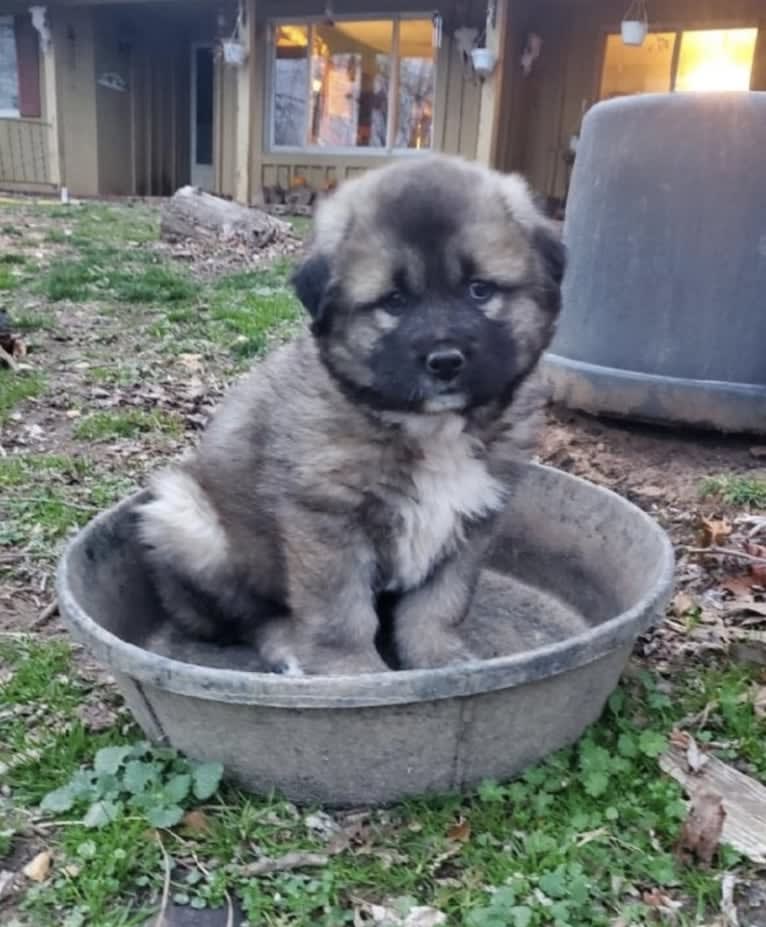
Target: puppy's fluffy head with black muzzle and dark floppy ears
{"type": "Point", "coordinates": [433, 285]}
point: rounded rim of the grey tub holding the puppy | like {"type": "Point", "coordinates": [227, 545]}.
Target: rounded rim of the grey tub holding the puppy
{"type": "Point", "coordinates": [368, 690]}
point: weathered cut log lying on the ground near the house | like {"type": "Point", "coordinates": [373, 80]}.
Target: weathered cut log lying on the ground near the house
{"type": "Point", "coordinates": [192, 214]}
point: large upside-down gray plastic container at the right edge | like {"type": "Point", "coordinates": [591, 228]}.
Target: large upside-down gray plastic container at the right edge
{"type": "Point", "coordinates": [665, 294]}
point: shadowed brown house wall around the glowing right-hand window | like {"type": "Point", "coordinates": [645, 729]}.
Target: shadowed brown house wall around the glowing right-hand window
{"type": "Point", "coordinates": [564, 83]}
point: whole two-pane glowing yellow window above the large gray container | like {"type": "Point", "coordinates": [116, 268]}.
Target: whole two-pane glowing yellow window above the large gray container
{"type": "Point", "coordinates": [710, 59]}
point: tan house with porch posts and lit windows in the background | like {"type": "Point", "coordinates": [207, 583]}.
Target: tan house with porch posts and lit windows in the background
{"type": "Point", "coordinates": [242, 96]}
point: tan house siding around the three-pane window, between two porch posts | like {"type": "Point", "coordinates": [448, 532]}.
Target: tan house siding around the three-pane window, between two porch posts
{"type": "Point", "coordinates": [457, 95]}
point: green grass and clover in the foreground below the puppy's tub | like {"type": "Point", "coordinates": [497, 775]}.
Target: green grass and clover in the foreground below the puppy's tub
{"type": "Point", "coordinates": [575, 842]}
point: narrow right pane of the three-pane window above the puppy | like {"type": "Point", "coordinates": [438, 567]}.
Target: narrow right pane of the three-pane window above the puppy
{"type": "Point", "coordinates": [416, 84]}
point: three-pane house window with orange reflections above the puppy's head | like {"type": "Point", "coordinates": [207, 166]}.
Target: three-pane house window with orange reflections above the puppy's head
{"type": "Point", "coordinates": [353, 84]}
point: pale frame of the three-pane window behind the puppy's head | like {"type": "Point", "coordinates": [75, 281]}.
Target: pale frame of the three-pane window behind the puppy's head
{"type": "Point", "coordinates": [347, 151]}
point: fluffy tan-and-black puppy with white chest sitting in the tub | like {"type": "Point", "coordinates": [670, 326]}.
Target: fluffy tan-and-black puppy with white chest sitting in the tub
{"type": "Point", "coordinates": [365, 459]}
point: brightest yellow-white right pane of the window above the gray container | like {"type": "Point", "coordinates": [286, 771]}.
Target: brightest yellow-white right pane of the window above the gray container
{"type": "Point", "coordinates": [720, 59]}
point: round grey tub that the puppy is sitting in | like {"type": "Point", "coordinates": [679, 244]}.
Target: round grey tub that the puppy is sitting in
{"type": "Point", "coordinates": [578, 575]}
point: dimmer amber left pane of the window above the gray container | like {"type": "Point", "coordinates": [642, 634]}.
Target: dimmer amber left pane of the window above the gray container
{"type": "Point", "coordinates": [638, 69]}
